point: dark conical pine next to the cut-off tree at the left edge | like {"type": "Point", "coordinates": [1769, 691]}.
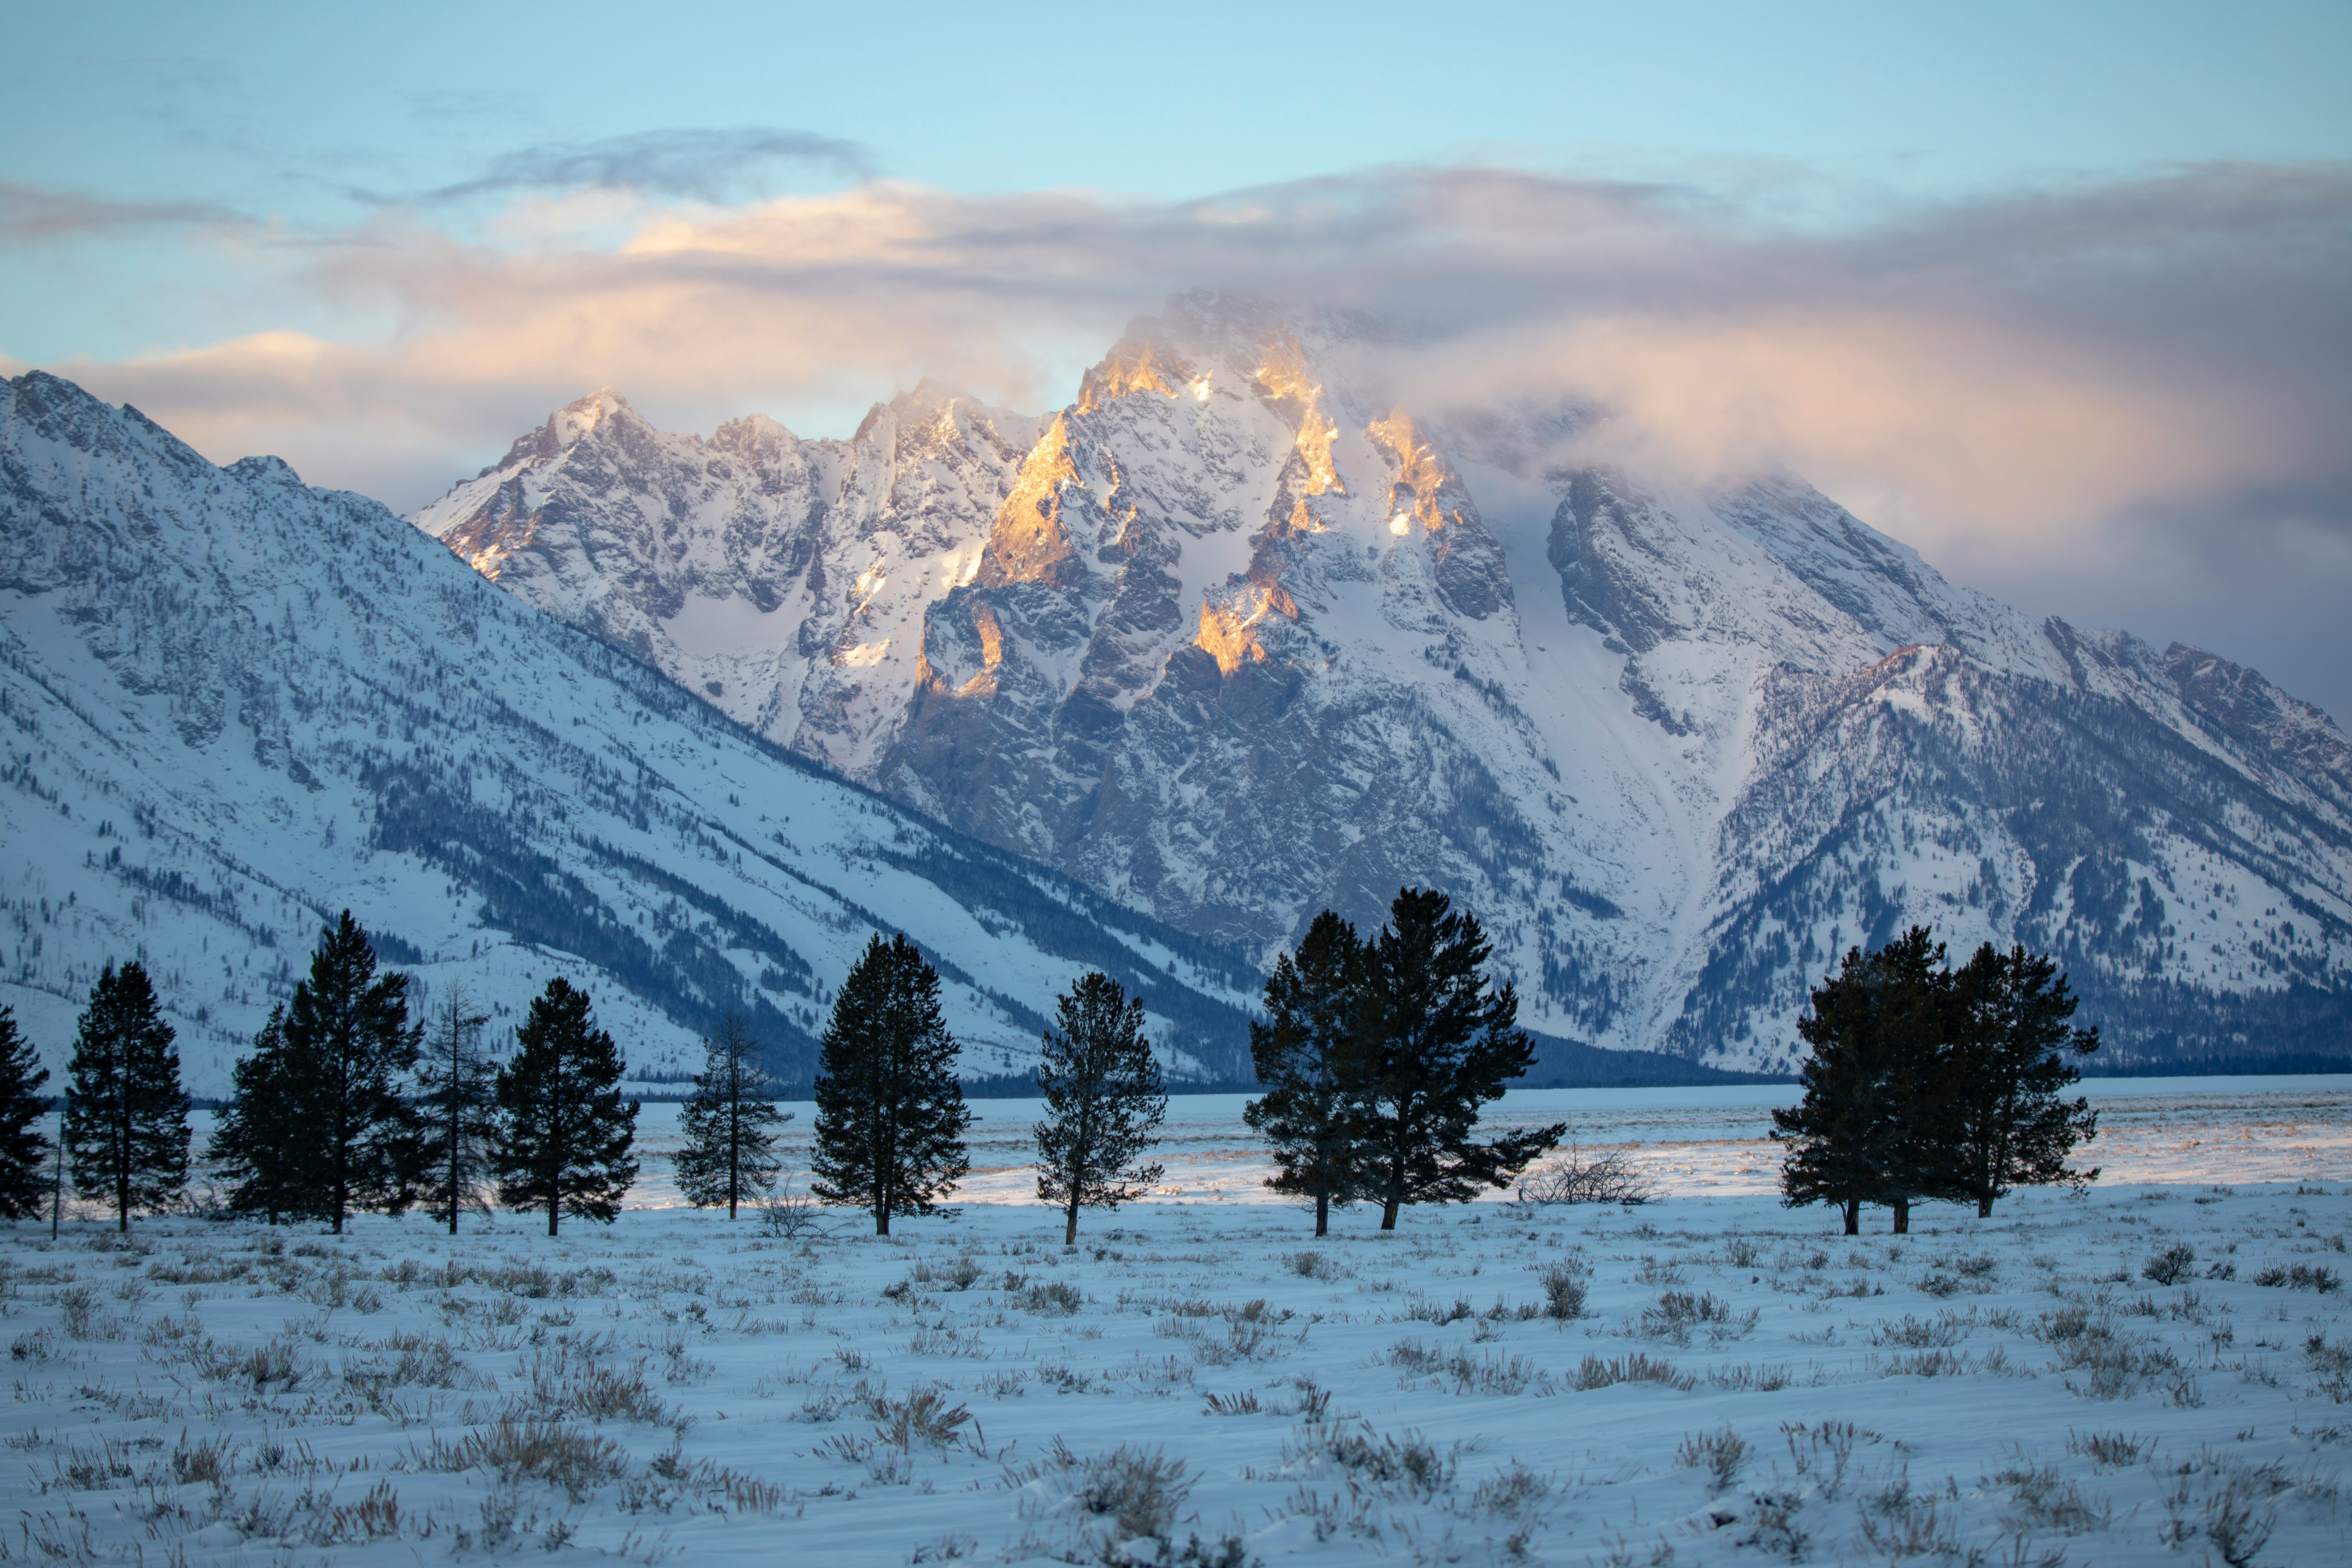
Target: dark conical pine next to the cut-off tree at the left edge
{"type": "Point", "coordinates": [126, 1113]}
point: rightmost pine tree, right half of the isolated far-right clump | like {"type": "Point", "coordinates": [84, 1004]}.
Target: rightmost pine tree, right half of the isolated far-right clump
{"type": "Point", "coordinates": [2005, 1125]}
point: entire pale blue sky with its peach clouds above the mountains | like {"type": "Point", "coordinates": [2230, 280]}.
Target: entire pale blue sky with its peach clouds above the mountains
{"type": "Point", "coordinates": [2040, 288]}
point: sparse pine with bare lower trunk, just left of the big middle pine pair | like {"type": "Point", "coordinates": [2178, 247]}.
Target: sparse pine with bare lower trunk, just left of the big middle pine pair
{"type": "Point", "coordinates": [1104, 1101]}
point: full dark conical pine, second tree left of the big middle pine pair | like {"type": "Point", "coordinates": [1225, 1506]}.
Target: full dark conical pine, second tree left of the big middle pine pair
{"type": "Point", "coordinates": [890, 1115]}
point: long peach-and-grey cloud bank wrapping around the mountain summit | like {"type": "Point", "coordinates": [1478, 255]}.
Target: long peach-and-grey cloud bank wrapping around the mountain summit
{"type": "Point", "coordinates": [2054, 375]}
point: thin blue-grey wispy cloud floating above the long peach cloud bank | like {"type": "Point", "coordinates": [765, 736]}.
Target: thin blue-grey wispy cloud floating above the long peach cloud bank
{"type": "Point", "coordinates": [707, 166]}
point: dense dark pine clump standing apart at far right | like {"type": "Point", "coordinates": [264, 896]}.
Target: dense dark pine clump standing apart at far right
{"type": "Point", "coordinates": [1935, 1085]}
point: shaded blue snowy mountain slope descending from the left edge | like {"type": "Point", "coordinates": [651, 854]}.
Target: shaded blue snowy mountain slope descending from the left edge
{"type": "Point", "coordinates": [236, 706]}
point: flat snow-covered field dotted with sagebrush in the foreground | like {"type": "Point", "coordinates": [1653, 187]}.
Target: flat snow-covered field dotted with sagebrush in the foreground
{"type": "Point", "coordinates": [1201, 1381]}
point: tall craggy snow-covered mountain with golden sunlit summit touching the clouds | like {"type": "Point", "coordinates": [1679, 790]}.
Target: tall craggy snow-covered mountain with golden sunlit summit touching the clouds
{"type": "Point", "coordinates": [1234, 641]}
